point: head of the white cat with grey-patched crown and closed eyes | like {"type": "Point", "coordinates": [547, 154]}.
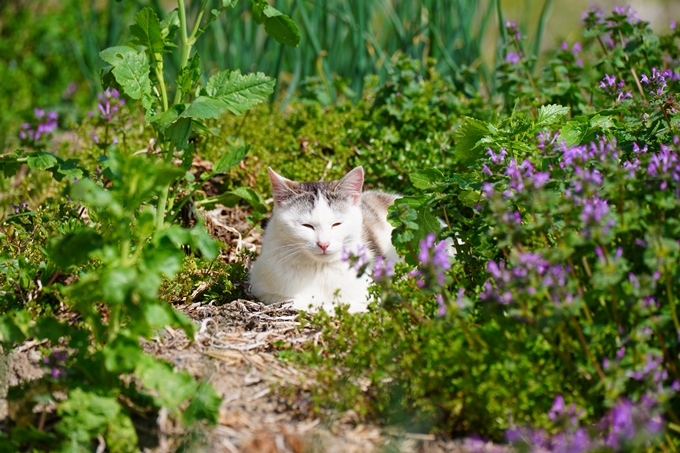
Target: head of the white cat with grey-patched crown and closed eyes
{"type": "Point", "coordinates": [321, 218]}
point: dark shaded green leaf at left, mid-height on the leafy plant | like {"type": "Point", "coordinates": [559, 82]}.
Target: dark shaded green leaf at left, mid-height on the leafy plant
{"type": "Point", "coordinates": [74, 248]}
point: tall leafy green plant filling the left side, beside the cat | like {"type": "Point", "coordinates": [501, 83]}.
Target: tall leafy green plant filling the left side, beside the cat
{"type": "Point", "coordinates": [123, 249]}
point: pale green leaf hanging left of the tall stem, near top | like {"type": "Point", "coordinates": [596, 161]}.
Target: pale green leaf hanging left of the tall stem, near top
{"type": "Point", "coordinates": [130, 68]}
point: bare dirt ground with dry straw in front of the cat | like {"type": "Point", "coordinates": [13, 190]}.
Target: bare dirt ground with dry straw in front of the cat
{"type": "Point", "coordinates": [233, 351]}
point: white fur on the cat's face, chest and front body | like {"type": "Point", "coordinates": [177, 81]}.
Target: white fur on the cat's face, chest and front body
{"type": "Point", "coordinates": [293, 267]}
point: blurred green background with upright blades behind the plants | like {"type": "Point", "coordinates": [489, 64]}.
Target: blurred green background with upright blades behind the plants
{"type": "Point", "coordinates": [49, 48]}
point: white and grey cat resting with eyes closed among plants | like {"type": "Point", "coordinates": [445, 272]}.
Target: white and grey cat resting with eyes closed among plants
{"type": "Point", "coordinates": [311, 225]}
